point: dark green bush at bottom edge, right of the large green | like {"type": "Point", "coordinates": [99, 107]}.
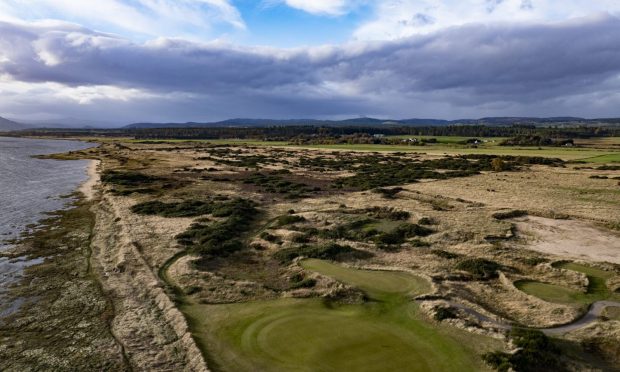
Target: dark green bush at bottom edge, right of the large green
{"type": "Point", "coordinates": [536, 353]}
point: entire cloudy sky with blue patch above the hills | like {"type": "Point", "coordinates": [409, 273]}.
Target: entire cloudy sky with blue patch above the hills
{"type": "Point", "coordinates": [123, 61]}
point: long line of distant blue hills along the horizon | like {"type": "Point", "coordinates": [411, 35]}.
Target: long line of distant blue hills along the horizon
{"type": "Point", "coordinates": [491, 121]}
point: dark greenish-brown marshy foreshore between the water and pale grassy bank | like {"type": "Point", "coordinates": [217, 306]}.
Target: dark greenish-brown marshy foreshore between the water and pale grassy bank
{"type": "Point", "coordinates": [64, 323]}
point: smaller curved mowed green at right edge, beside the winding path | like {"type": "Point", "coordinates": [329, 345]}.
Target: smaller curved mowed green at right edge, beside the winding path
{"type": "Point", "coordinates": [597, 289]}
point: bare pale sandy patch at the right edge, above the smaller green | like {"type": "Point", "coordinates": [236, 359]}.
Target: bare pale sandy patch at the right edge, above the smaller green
{"type": "Point", "coordinates": [570, 239]}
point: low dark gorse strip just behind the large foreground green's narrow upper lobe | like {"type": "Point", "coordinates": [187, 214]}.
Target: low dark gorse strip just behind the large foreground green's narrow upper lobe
{"type": "Point", "coordinates": [329, 251]}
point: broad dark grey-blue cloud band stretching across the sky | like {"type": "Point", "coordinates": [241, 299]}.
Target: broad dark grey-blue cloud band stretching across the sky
{"type": "Point", "coordinates": [472, 65]}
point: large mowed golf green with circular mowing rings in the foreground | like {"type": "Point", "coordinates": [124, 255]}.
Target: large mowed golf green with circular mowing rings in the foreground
{"type": "Point", "coordinates": [386, 334]}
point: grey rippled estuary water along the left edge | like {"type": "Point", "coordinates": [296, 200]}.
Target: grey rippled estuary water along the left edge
{"type": "Point", "coordinates": [29, 188]}
